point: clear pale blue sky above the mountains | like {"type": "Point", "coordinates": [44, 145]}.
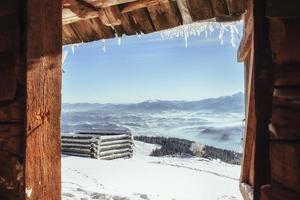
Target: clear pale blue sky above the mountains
{"type": "Point", "coordinates": [149, 67]}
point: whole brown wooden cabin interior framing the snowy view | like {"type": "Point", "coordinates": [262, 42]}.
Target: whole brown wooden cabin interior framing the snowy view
{"type": "Point", "coordinates": [34, 31]}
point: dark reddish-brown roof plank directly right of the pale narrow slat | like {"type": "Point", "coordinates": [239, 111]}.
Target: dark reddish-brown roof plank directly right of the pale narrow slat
{"type": "Point", "coordinates": [200, 9]}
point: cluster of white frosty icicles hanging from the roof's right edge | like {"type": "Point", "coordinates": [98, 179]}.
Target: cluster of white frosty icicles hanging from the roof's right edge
{"type": "Point", "coordinates": [198, 28]}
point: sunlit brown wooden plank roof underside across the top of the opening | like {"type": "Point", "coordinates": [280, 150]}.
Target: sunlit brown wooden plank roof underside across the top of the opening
{"type": "Point", "coordinates": [122, 15]}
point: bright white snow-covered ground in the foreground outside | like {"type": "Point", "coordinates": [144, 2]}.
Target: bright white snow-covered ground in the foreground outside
{"type": "Point", "coordinates": [149, 178]}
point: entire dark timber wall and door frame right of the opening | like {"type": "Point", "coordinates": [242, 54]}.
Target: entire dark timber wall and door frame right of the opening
{"type": "Point", "coordinates": [271, 164]}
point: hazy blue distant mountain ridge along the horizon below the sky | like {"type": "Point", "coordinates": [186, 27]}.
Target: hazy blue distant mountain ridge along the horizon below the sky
{"type": "Point", "coordinates": [230, 103]}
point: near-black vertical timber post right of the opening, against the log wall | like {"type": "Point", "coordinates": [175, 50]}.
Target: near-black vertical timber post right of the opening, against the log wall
{"type": "Point", "coordinates": [263, 83]}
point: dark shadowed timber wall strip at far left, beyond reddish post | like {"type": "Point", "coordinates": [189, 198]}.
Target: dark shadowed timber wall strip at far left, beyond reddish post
{"type": "Point", "coordinates": [11, 132]}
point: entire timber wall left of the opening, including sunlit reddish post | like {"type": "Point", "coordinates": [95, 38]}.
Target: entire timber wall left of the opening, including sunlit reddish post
{"type": "Point", "coordinates": [30, 80]}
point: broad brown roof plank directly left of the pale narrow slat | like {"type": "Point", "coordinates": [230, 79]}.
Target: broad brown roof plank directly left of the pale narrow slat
{"type": "Point", "coordinates": [165, 15]}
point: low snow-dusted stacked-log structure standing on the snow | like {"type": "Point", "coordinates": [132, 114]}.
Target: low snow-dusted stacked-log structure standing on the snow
{"type": "Point", "coordinates": [102, 144]}
